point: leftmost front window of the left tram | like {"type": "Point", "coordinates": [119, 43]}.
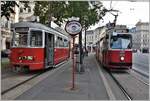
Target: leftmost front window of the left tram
{"type": "Point", "coordinates": [20, 39]}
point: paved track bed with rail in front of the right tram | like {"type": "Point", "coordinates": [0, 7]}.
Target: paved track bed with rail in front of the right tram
{"type": "Point", "coordinates": [132, 87]}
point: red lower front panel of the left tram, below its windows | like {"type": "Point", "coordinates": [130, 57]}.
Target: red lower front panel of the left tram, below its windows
{"type": "Point", "coordinates": [32, 58]}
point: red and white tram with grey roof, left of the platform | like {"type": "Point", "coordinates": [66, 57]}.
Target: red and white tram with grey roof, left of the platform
{"type": "Point", "coordinates": [35, 46]}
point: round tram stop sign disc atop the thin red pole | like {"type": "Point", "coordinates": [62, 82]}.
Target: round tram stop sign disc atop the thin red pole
{"type": "Point", "coordinates": [73, 27]}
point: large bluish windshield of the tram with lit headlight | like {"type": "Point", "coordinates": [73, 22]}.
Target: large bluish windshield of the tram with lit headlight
{"type": "Point", "coordinates": [121, 41]}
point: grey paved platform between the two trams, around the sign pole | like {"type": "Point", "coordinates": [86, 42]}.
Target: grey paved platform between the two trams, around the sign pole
{"type": "Point", "coordinates": [89, 85]}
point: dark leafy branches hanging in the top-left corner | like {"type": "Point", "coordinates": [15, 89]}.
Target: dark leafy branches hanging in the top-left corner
{"type": "Point", "coordinates": [7, 7]}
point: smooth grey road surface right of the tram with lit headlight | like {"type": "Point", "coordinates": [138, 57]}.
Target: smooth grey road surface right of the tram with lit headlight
{"type": "Point", "coordinates": [141, 62]}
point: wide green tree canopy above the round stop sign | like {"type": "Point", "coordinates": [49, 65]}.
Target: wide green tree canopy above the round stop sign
{"type": "Point", "coordinates": [88, 12]}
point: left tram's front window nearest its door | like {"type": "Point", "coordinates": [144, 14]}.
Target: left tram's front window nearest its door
{"type": "Point", "coordinates": [36, 38]}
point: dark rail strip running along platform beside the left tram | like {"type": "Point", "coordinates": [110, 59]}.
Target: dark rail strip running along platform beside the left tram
{"type": "Point", "coordinates": [32, 77]}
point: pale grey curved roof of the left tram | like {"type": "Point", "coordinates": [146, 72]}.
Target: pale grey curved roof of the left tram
{"type": "Point", "coordinates": [37, 26]}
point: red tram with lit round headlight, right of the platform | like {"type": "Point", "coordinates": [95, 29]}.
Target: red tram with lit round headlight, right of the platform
{"type": "Point", "coordinates": [113, 50]}
